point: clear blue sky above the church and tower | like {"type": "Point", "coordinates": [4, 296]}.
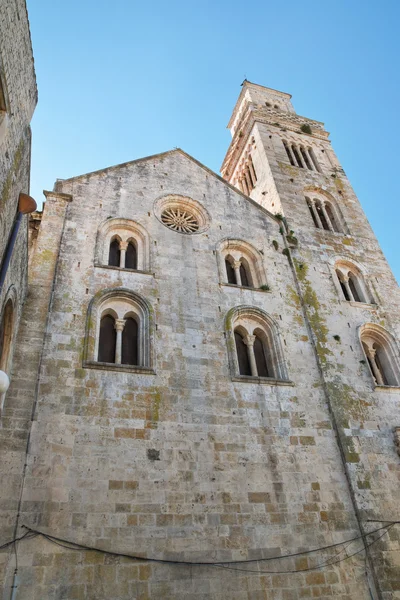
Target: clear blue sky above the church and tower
{"type": "Point", "coordinates": [122, 80]}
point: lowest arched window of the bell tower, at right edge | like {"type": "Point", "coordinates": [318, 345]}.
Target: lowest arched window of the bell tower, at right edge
{"type": "Point", "coordinates": [381, 354]}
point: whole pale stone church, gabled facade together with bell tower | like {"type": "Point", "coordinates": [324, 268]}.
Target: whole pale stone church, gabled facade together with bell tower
{"type": "Point", "coordinates": [184, 457]}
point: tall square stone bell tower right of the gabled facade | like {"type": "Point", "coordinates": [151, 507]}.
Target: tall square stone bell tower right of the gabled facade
{"type": "Point", "coordinates": [348, 295]}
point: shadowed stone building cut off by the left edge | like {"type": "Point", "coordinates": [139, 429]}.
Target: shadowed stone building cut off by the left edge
{"type": "Point", "coordinates": [18, 97]}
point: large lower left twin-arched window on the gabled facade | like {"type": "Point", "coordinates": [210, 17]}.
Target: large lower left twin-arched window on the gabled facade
{"type": "Point", "coordinates": [119, 330]}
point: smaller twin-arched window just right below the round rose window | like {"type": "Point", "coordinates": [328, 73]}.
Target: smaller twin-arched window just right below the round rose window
{"type": "Point", "coordinates": [240, 263]}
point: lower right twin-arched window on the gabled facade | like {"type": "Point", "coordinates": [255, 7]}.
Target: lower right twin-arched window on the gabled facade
{"type": "Point", "coordinates": [255, 337]}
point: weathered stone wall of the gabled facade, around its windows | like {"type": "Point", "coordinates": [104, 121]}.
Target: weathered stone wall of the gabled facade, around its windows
{"type": "Point", "coordinates": [185, 463]}
